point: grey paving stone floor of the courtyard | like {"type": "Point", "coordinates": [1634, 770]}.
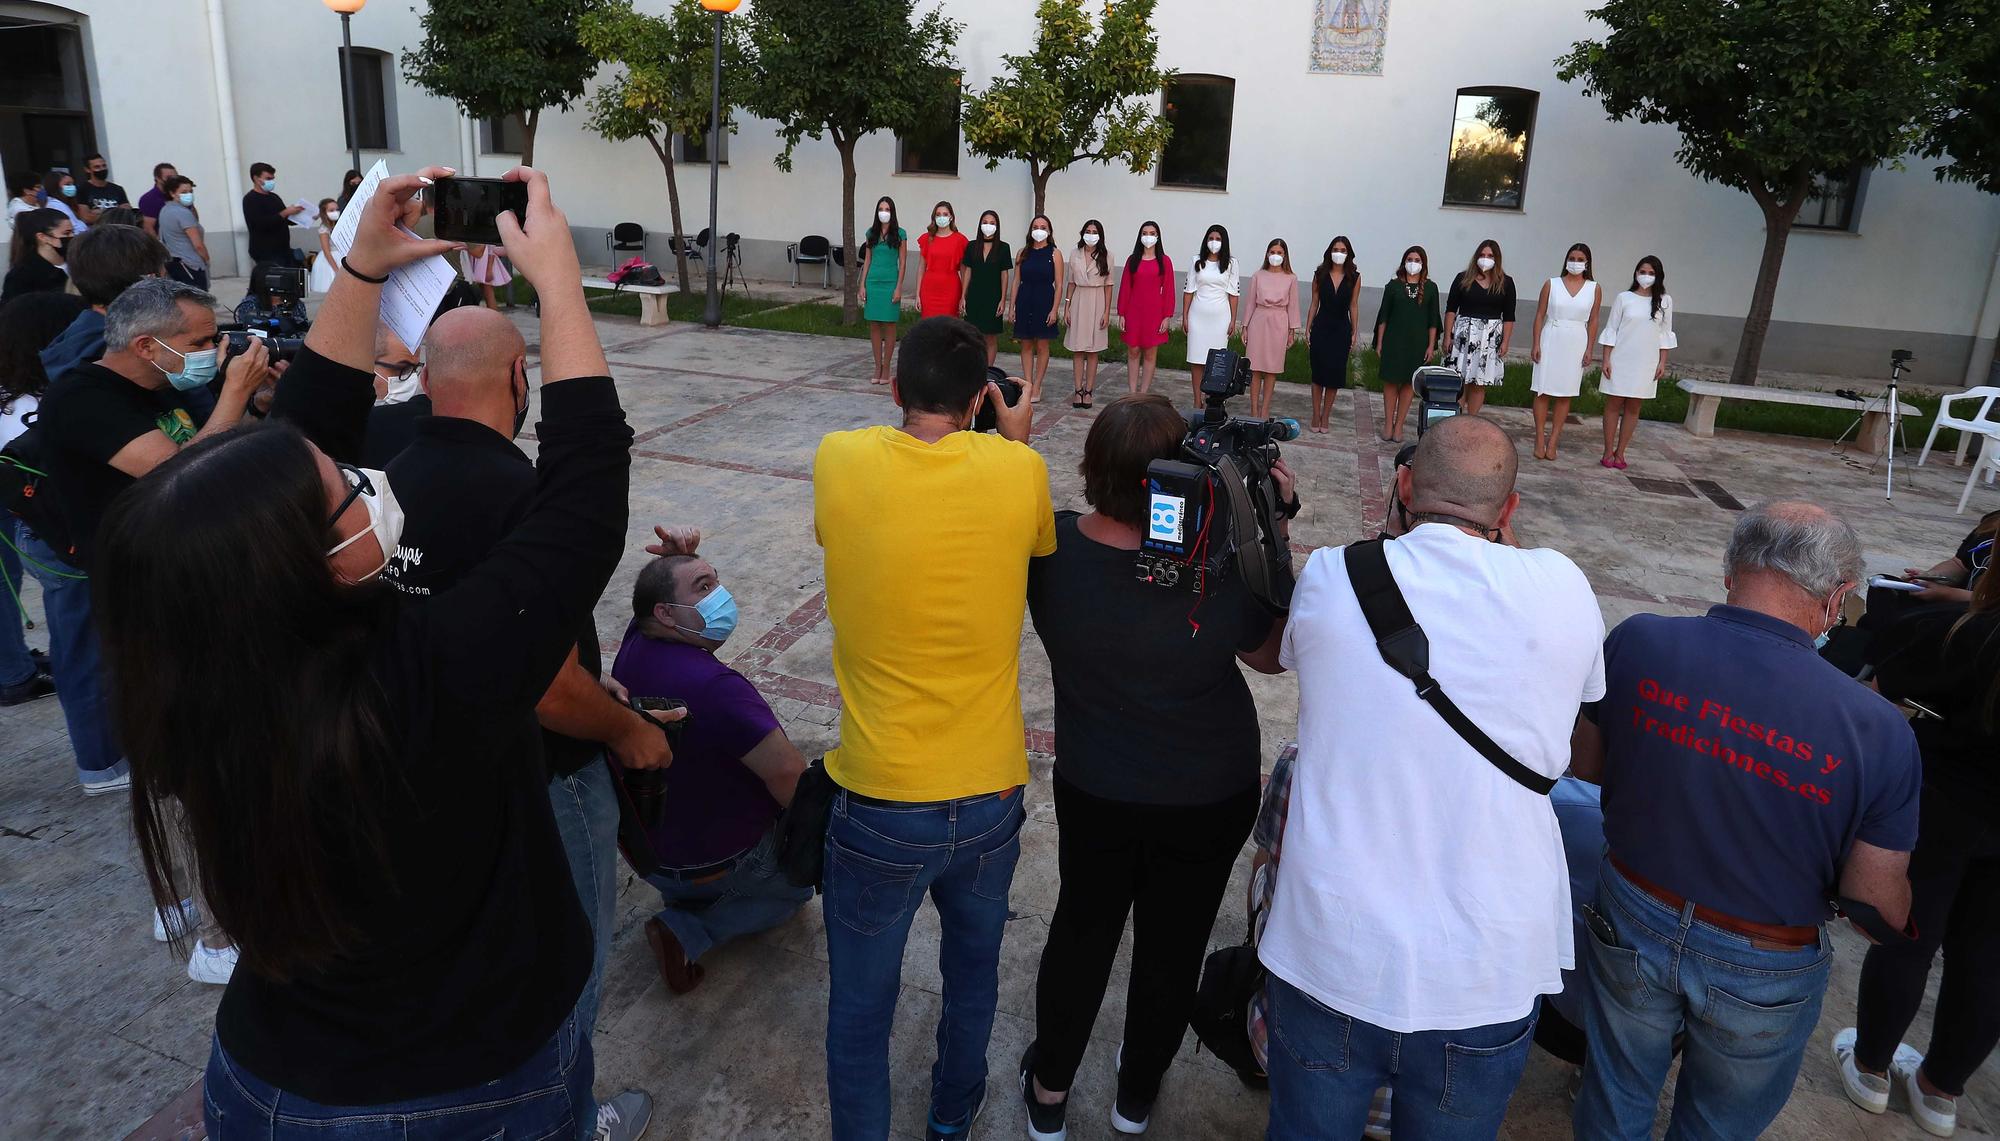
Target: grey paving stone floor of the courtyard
{"type": "Point", "coordinates": [101, 1032]}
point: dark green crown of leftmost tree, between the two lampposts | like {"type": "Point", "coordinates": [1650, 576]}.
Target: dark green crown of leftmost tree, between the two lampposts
{"type": "Point", "coordinates": [503, 57]}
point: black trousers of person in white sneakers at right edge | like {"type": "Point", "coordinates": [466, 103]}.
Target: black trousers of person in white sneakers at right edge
{"type": "Point", "coordinates": [1955, 900]}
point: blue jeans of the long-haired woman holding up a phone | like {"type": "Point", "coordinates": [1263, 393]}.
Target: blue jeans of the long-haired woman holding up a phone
{"type": "Point", "coordinates": [545, 1100]}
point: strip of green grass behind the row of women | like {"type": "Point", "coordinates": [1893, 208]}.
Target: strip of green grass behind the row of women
{"type": "Point", "coordinates": [1671, 405]}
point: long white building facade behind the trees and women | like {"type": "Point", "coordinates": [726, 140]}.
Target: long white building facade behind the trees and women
{"type": "Point", "coordinates": [1395, 123]}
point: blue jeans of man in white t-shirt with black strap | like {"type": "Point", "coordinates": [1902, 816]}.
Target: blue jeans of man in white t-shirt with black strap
{"type": "Point", "coordinates": [1325, 1068]}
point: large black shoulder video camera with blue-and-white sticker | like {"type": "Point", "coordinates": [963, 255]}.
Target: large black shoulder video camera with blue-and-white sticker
{"type": "Point", "coordinates": [1215, 511]}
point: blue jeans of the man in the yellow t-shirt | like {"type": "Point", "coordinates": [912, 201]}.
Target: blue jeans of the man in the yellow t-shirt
{"type": "Point", "coordinates": [881, 860]}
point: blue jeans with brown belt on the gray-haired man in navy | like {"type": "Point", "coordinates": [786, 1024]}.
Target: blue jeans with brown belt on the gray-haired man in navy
{"type": "Point", "coordinates": [1749, 1016]}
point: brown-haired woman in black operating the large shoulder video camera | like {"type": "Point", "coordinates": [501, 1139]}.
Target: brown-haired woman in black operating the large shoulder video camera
{"type": "Point", "coordinates": [1157, 768]}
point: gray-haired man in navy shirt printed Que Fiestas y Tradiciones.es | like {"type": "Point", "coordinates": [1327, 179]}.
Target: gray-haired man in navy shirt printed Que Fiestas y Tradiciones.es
{"type": "Point", "coordinates": [1745, 786]}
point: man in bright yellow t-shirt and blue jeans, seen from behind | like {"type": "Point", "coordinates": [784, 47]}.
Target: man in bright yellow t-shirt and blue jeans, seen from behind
{"type": "Point", "coordinates": [927, 533]}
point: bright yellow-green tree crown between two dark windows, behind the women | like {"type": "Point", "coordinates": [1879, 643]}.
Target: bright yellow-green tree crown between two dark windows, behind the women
{"type": "Point", "coordinates": [1081, 95]}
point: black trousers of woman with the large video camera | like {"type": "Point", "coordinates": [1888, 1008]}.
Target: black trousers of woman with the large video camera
{"type": "Point", "coordinates": [1169, 870]}
